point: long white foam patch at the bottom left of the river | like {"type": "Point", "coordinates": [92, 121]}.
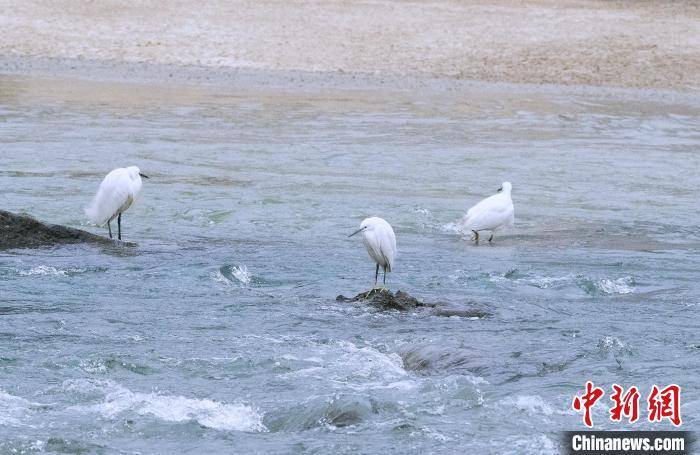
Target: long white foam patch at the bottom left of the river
{"type": "Point", "coordinates": [174, 408]}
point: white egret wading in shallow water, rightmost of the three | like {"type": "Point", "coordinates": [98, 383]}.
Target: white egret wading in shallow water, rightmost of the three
{"type": "Point", "coordinates": [491, 213]}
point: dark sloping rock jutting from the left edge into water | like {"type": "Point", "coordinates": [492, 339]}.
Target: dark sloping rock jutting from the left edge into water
{"type": "Point", "coordinates": [22, 231]}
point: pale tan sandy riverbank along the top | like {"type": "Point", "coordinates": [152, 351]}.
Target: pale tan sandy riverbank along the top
{"type": "Point", "coordinates": [612, 43]}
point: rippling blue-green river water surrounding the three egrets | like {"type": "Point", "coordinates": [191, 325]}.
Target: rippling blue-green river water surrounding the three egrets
{"type": "Point", "coordinates": [220, 331]}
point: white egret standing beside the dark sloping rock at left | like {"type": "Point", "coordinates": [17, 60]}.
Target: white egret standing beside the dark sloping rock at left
{"type": "Point", "coordinates": [117, 192]}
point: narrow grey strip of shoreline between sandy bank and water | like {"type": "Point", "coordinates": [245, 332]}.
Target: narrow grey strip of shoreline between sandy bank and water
{"type": "Point", "coordinates": [227, 79]}
